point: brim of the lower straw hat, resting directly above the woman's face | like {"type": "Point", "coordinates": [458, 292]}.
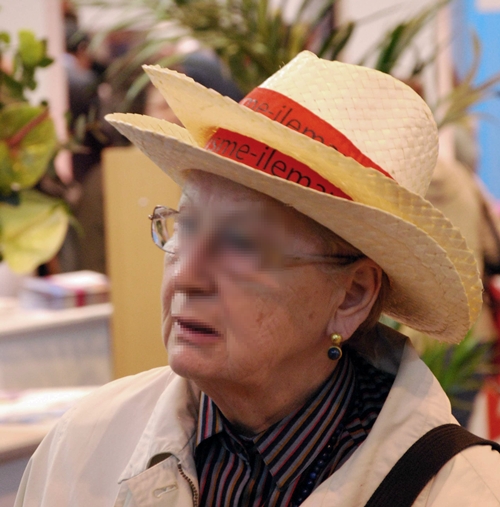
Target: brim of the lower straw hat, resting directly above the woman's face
{"type": "Point", "coordinates": [423, 268]}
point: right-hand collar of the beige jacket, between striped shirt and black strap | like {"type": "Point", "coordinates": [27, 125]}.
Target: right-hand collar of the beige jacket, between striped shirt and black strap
{"type": "Point", "coordinates": [416, 404]}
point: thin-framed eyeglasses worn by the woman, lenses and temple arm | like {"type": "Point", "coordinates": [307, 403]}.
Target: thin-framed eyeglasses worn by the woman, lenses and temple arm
{"type": "Point", "coordinates": [240, 244]}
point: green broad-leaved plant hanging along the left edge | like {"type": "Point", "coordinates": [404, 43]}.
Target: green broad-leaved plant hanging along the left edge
{"type": "Point", "coordinates": [32, 225]}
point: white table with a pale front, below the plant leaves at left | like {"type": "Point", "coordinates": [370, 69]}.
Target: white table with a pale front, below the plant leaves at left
{"type": "Point", "coordinates": [54, 348]}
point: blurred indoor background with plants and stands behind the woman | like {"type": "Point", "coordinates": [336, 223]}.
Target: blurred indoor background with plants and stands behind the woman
{"type": "Point", "coordinates": [79, 275]}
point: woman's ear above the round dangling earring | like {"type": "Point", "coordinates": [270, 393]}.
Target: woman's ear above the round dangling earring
{"type": "Point", "coordinates": [361, 291]}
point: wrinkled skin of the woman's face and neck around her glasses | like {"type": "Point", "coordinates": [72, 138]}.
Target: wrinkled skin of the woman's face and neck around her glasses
{"type": "Point", "coordinates": [269, 352]}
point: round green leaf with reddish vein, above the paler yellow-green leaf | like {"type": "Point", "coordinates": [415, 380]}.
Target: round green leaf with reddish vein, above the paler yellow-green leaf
{"type": "Point", "coordinates": [23, 162]}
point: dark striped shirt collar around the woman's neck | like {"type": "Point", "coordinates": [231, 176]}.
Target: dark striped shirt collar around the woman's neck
{"type": "Point", "coordinates": [289, 446]}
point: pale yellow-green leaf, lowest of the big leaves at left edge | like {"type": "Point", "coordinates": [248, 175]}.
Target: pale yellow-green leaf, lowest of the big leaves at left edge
{"type": "Point", "coordinates": [33, 232]}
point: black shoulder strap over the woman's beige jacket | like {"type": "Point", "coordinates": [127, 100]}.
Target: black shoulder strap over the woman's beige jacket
{"type": "Point", "coordinates": [421, 462]}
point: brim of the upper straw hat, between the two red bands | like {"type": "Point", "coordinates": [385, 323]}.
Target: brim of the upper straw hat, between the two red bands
{"type": "Point", "coordinates": [202, 111]}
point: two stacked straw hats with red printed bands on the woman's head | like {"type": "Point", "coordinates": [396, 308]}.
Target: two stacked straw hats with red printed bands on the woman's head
{"type": "Point", "coordinates": [348, 146]}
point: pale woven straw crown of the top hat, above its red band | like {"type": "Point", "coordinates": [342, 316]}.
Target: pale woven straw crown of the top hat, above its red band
{"type": "Point", "coordinates": [384, 118]}
